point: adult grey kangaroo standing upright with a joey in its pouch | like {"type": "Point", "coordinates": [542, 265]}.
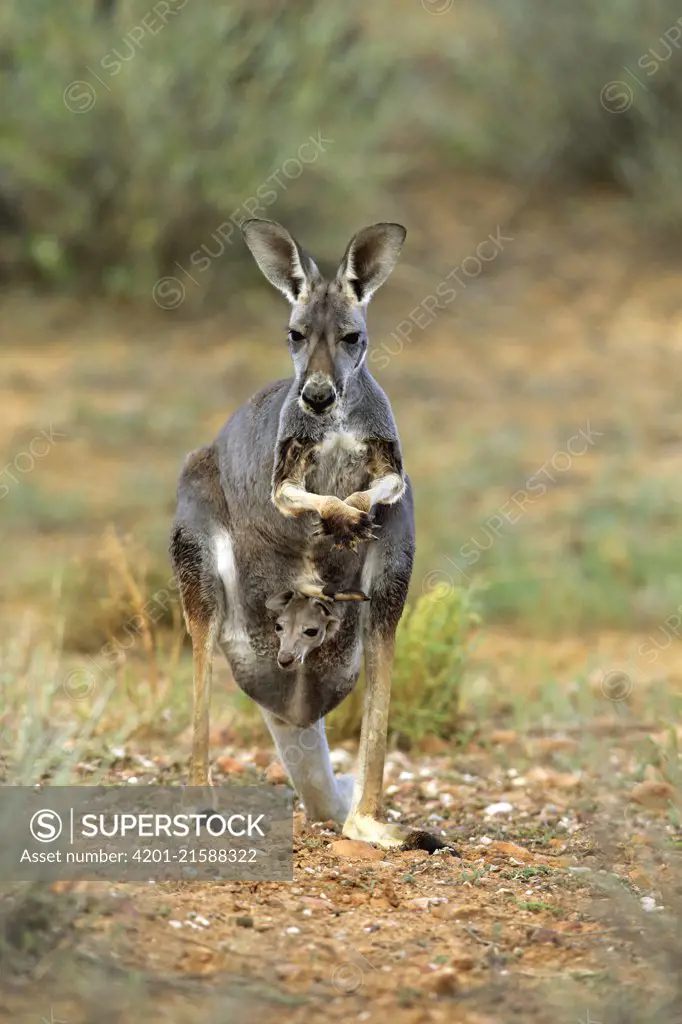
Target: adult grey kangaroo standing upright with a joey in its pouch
{"type": "Point", "coordinates": [310, 458]}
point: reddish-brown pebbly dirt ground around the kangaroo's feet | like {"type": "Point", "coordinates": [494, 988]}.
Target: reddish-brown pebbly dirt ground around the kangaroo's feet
{"type": "Point", "coordinates": [522, 926]}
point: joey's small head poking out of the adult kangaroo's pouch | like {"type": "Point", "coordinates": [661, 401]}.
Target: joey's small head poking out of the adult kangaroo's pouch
{"type": "Point", "coordinates": [304, 624]}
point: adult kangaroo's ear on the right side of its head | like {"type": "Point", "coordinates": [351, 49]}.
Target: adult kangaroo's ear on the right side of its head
{"type": "Point", "coordinates": [371, 257]}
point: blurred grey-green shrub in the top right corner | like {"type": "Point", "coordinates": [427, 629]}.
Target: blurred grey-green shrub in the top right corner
{"type": "Point", "coordinates": [592, 94]}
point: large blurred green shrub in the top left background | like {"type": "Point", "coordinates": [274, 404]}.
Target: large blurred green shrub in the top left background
{"type": "Point", "coordinates": [133, 132]}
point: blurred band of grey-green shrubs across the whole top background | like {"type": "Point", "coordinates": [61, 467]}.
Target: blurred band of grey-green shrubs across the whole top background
{"type": "Point", "coordinates": [119, 159]}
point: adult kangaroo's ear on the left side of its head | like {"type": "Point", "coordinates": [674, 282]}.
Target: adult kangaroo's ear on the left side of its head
{"type": "Point", "coordinates": [281, 259]}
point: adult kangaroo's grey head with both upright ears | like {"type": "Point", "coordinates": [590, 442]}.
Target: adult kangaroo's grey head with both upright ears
{"type": "Point", "coordinates": [328, 328]}
